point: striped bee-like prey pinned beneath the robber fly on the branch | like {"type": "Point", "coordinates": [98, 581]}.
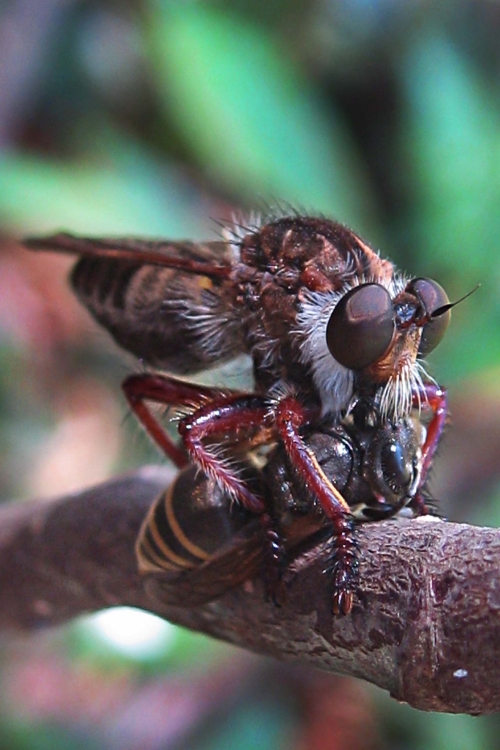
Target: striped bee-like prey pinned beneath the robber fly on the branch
{"type": "Point", "coordinates": [208, 545]}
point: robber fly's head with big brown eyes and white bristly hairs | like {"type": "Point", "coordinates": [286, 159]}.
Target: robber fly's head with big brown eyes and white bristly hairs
{"type": "Point", "coordinates": [372, 337]}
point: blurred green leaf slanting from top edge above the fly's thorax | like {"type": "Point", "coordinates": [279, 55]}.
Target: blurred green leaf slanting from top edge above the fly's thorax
{"type": "Point", "coordinates": [252, 119]}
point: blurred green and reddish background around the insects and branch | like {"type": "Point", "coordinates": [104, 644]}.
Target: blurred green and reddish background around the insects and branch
{"type": "Point", "coordinates": [161, 118]}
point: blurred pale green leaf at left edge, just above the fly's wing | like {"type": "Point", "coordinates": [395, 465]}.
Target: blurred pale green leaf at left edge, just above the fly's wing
{"type": "Point", "coordinates": [38, 195]}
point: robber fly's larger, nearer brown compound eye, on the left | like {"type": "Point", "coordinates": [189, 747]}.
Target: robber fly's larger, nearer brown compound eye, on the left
{"type": "Point", "coordinates": [361, 327]}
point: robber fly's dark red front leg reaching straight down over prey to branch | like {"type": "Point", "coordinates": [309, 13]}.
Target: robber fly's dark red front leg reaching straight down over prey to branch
{"type": "Point", "coordinates": [290, 417]}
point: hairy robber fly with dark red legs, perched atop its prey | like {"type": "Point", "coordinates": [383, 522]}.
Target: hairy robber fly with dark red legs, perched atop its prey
{"type": "Point", "coordinates": [325, 320]}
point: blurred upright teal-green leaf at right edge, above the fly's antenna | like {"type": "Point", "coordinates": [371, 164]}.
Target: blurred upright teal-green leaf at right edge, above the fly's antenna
{"type": "Point", "coordinates": [452, 139]}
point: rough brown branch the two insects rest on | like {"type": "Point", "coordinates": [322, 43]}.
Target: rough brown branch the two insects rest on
{"type": "Point", "coordinates": [425, 624]}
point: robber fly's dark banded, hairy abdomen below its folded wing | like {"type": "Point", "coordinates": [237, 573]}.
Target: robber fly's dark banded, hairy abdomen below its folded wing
{"type": "Point", "coordinates": [169, 319]}
